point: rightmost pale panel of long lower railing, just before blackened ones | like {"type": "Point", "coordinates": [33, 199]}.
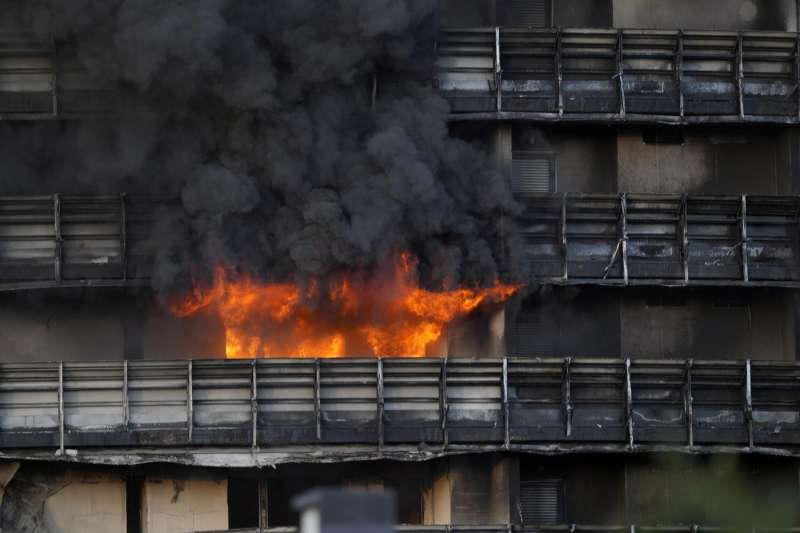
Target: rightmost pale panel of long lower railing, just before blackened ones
{"type": "Point", "coordinates": [474, 401]}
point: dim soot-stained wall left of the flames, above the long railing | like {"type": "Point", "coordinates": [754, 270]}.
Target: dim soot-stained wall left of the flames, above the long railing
{"type": "Point", "coordinates": [98, 324]}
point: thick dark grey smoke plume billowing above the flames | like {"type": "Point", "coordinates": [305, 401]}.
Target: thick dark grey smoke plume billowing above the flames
{"type": "Point", "coordinates": [258, 116]}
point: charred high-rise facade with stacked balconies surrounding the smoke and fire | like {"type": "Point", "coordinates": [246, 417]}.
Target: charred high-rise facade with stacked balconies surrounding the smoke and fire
{"type": "Point", "coordinates": [647, 378]}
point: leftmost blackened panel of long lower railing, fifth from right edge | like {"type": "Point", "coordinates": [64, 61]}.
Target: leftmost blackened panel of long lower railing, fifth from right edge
{"type": "Point", "coordinates": [539, 400]}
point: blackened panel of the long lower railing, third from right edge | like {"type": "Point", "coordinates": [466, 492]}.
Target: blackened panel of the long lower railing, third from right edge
{"type": "Point", "coordinates": [659, 400]}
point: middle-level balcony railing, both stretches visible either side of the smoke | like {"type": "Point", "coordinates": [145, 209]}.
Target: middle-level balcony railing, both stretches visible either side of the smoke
{"type": "Point", "coordinates": [61, 241]}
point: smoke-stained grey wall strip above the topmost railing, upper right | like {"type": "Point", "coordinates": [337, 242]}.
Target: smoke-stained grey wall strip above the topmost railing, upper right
{"type": "Point", "coordinates": [723, 15]}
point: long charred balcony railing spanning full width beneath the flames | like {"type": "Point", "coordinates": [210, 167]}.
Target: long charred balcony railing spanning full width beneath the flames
{"type": "Point", "coordinates": [444, 404]}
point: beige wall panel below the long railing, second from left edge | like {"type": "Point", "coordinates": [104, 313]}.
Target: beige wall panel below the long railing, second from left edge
{"type": "Point", "coordinates": [182, 505]}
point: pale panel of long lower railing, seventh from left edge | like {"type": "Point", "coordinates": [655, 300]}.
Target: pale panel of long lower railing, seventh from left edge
{"type": "Point", "coordinates": [413, 401]}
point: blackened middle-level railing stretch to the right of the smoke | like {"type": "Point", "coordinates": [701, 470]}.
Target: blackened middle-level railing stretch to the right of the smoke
{"type": "Point", "coordinates": [664, 239]}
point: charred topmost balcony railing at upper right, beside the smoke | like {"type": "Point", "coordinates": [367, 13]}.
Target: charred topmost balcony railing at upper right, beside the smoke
{"type": "Point", "coordinates": [620, 75]}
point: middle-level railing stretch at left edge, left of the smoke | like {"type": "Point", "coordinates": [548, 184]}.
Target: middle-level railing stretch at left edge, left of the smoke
{"type": "Point", "coordinates": [54, 241]}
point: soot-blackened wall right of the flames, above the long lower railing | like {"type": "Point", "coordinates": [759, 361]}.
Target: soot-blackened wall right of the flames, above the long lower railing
{"type": "Point", "coordinates": [653, 323]}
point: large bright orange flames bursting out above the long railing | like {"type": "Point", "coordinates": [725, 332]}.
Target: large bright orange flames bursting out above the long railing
{"type": "Point", "coordinates": [356, 314]}
